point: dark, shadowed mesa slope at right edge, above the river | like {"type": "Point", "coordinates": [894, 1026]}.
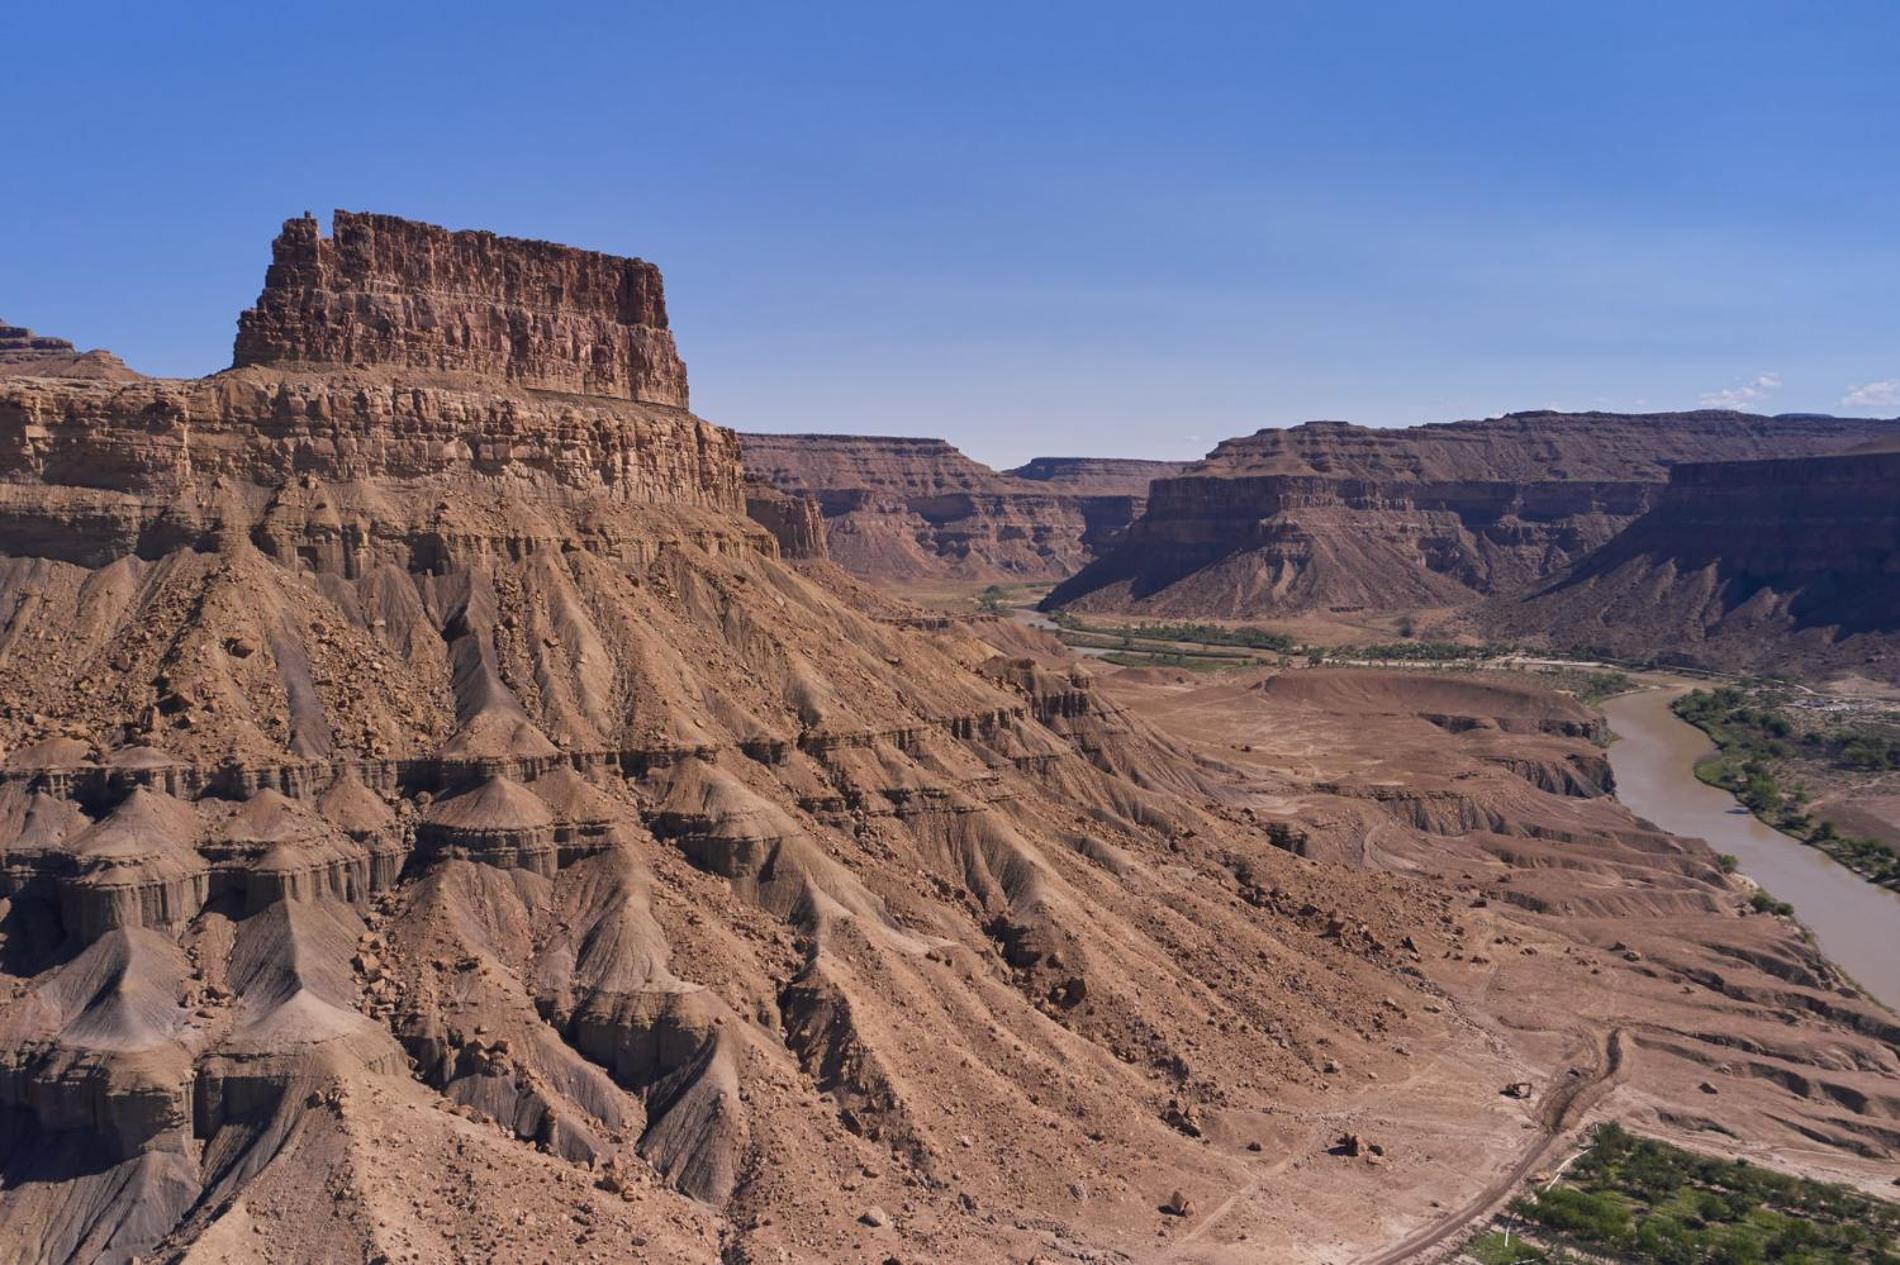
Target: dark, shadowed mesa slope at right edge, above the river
{"type": "Point", "coordinates": [1783, 565]}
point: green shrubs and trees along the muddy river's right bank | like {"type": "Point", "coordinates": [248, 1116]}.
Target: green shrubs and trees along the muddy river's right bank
{"type": "Point", "coordinates": [1755, 747]}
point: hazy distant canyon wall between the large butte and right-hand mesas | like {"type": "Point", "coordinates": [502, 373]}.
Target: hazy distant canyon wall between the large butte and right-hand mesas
{"type": "Point", "coordinates": [917, 510]}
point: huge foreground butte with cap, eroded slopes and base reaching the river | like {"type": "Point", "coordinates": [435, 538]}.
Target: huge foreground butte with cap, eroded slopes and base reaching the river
{"type": "Point", "coordinates": [438, 823]}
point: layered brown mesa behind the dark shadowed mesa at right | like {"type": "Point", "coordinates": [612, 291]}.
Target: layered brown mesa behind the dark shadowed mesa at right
{"type": "Point", "coordinates": [1342, 518]}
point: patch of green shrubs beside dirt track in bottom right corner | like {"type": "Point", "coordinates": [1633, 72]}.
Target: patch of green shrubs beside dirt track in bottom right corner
{"type": "Point", "coordinates": [1648, 1203]}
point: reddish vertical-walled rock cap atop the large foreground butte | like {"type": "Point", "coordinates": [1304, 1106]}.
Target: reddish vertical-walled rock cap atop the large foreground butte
{"type": "Point", "coordinates": [409, 295]}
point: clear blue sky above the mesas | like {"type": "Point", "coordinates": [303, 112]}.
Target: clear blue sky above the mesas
{"type": "Point", "coordinates": [1033, 229]}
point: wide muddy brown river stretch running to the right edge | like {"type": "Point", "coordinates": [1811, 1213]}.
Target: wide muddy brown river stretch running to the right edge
{"type": "Point", "coordinates": [1654, 759]}
